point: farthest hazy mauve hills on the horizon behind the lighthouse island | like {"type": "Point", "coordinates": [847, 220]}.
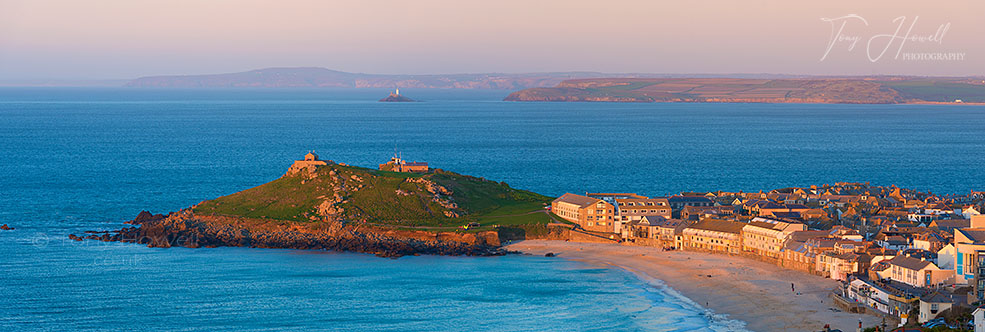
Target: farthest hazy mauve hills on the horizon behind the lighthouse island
{"type": "Point", "coordinates": [321, 77]}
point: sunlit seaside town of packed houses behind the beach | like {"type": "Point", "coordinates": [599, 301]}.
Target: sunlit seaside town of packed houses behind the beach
{"type": "Point", "coordinates": [912, 257]}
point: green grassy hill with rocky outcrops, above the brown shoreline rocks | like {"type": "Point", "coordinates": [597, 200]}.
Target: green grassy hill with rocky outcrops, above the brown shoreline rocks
{"type": "Point", "coordinates": [335, 192]}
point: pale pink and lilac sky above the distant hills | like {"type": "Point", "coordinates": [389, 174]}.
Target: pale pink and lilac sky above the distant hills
{"type": "Point", "coordinates": [121, 39]}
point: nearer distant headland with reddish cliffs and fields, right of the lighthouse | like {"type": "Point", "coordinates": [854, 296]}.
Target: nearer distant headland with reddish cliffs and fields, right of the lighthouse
{"type": "Point", "coordinates": [854, 90]}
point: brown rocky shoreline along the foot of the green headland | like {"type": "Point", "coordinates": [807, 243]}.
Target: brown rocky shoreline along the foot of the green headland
{"type": "Point", "coordinates": [185, 229]}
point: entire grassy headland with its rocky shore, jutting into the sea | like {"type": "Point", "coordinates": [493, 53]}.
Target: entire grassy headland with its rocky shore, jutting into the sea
{"type": "Point", "coordinates": [404, 208]}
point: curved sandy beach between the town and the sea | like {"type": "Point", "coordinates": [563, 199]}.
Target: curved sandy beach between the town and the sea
{"type": "Point", "coordinates": [755, 292]}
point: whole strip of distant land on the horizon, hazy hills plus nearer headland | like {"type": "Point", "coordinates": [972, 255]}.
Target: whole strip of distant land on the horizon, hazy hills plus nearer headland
{"type": "Point", "coordinates": [597, 86]}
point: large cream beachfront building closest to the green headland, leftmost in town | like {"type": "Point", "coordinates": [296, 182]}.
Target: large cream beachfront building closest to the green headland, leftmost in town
{"type": "Point", "coordinates": [592, 214]}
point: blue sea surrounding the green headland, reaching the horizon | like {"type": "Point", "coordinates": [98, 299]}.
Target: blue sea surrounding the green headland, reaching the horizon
{"type": "Point", "coordinates": [76, 159]}
